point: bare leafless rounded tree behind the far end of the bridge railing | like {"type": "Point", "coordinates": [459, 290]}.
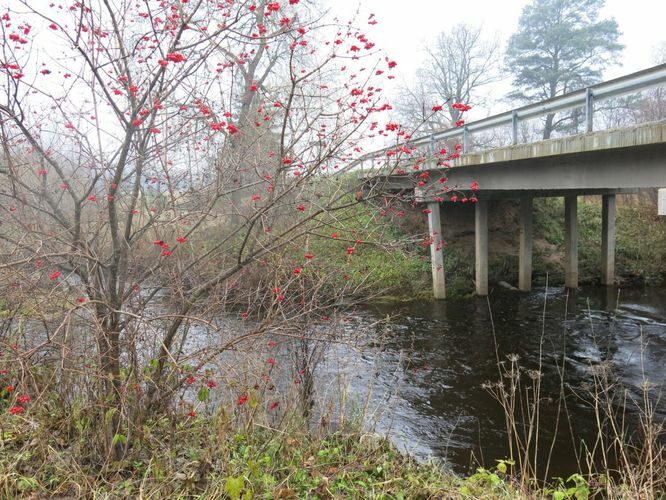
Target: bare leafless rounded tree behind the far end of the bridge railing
{"type": "Point", "coordinates": [459, 64]}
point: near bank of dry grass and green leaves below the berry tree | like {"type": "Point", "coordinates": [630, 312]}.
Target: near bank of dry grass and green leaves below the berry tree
{"type": "Point", "coordinates": [213, 458]}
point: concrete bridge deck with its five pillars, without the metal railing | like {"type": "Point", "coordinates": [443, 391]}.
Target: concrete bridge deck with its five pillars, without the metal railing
{"type": "Point", "coordinates": [630, 159]}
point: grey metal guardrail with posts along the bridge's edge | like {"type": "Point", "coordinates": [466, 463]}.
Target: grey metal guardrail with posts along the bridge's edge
{"type": "Point", "coordinates": [586, 97]}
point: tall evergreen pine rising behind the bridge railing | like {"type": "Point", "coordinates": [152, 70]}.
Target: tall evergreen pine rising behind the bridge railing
{"type": "Point", "coordinates": [560, 46]}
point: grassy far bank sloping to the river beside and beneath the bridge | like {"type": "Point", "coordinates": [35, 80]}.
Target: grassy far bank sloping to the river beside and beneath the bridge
{"type": "Point", "coordinates": [373, 252]}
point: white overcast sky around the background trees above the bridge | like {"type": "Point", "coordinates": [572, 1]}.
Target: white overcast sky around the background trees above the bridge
{"type": "Point", "coordinates": [406, 25]}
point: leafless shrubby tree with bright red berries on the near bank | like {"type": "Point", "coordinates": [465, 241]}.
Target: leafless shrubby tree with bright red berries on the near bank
{"type": "Point", "coordinates": [123, 135]}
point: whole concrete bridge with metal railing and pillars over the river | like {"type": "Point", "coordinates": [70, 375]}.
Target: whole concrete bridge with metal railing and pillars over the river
{"type": "Point", "coordinates": [603, 163]}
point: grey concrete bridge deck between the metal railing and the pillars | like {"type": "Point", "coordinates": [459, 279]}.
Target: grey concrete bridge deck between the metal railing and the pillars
{"type": "Point", "coordinates": [598, 162]}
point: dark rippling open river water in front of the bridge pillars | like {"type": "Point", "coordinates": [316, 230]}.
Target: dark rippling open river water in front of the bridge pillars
{"type": "Point", "coordinates": [426, 367]}
